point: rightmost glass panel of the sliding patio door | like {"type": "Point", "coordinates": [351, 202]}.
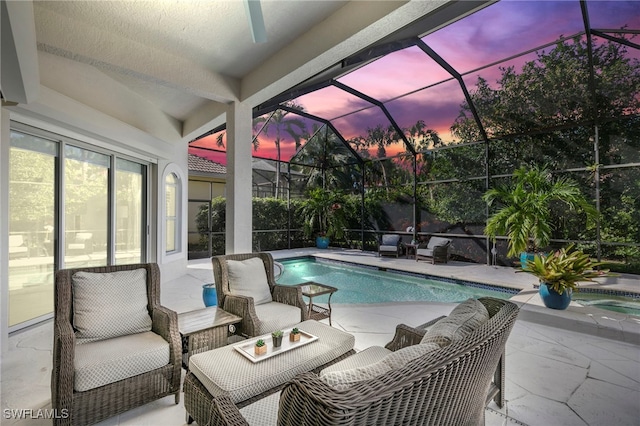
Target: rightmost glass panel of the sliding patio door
{"type": "Point", "coordinates": [130, 178]}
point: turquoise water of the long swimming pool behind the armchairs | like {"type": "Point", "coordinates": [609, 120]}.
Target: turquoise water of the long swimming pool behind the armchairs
{"type": "Point", "coordinates": [364, 285]}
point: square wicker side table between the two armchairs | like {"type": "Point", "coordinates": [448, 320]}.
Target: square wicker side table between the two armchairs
{"type": "Point", "coordinates": [204, 329]}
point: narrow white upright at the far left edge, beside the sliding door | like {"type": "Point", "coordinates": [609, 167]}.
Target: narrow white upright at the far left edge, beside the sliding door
{"type": "Point", "coordinates": [5, 139]}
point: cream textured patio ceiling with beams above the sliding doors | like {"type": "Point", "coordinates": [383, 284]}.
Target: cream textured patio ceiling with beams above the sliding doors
{"type": "Point", "coordinates": [168, 69]}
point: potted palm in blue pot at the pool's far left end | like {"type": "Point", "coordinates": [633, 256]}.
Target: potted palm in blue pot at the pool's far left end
{"type": "Point", "coordinates": [323, 216]}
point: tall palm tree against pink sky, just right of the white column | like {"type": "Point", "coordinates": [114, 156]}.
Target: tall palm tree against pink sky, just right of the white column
{"type": "Point", "coordinates": [283, 122]}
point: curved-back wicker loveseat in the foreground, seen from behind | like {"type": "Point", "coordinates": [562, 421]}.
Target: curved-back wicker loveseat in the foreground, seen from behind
{"type": "Point", "coordinates": [448, 386]}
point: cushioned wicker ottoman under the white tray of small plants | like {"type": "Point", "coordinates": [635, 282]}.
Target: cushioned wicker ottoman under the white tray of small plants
{"type": "Point", "coordinates": [223, 376]}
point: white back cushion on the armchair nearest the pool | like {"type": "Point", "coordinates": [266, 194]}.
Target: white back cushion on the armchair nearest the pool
{"type": "Point", "coordinates": [249, 278]}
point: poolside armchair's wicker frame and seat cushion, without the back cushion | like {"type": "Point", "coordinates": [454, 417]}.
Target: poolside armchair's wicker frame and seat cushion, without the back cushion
{"type": "Point", "coordinates": [253, 323]}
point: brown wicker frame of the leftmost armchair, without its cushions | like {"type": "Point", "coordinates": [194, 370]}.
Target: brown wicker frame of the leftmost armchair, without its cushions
{"type": "Point", "coordinates": [97, 404]}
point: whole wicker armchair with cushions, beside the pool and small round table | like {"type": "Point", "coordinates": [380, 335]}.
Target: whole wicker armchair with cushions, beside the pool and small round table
{"type": "Point", "coordinates": [263, 306]}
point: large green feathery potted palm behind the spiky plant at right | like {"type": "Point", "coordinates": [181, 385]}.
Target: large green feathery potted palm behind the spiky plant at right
{"type": "Point", "coordinates": [524, 213]}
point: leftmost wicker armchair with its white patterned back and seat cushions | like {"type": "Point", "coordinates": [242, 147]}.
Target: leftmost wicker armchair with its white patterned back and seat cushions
{"type": "Point", "coordinates": [96, 377]}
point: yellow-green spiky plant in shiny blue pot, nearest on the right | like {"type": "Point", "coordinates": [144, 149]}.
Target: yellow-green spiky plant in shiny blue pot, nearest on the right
{"type": "Point", "coordinates": [560, 272]}
